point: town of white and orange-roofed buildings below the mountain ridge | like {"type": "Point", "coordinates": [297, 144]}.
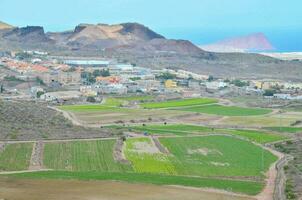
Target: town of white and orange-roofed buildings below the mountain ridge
{"type": "Point", "coordinates": [37, 75]}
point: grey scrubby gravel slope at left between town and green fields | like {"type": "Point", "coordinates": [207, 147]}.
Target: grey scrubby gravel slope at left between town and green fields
{"type": "Point", "coordinates": [22, 120]}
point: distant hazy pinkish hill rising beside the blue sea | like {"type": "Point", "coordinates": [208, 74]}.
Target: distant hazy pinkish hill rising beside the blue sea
{"type": "Point", "coordinates": [252, 42]}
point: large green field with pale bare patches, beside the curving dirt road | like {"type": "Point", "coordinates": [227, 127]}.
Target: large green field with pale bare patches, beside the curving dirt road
{"type": "Point", "coordinates": [217, 156]}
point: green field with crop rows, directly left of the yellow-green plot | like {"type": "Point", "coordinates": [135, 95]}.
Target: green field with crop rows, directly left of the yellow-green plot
{"type": "Point", "coordinates": [82, 156]}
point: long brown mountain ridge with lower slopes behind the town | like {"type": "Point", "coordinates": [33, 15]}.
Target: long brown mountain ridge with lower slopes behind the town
{"type": "Point", "coordinates": [137, 44]}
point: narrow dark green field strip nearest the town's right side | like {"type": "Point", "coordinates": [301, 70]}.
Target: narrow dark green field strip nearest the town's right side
{"type": "Point", "coordinates": [227, 110]}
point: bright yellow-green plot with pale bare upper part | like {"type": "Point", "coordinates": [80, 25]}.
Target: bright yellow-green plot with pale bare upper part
{"type": "Point", "coordinates": [145, 158]}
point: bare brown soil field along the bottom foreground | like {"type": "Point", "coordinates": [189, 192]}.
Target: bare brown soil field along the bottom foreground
{"type": "Point", "coordinates": [13, 189]}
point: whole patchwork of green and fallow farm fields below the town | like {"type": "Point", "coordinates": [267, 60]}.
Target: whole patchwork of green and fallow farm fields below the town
{"type": "Point", "coordinates": [160, 147]}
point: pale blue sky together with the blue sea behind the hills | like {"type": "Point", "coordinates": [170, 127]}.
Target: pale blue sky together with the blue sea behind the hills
{"type": "Point", "coordinates": [201, 21]}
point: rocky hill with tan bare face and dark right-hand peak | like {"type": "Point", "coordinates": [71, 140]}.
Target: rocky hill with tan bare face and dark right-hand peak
{"type": "Point", "coordinates": [101, 36]}
